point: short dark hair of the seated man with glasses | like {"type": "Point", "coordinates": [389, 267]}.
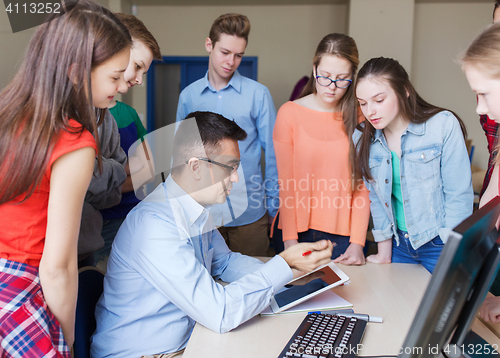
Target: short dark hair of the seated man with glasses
{"type": "Point", "coordinates": [200, 134]}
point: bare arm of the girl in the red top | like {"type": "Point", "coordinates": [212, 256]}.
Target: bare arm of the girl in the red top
{"type": "Point", "coordinates": [58, 271]}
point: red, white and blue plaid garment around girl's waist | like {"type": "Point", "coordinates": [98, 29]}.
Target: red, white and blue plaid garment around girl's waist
{"type": "Point", "coordinates": [27, 327]}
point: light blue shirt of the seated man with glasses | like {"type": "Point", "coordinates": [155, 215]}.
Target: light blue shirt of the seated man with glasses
{"type": "Point", "coordinates": [159, 279]}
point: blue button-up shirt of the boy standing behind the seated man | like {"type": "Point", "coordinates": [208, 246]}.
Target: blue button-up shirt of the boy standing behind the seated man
{"type": "Point", "coordinates": [251, 106]}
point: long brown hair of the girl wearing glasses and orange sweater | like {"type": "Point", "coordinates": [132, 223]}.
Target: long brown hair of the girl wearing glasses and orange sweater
{"type": "Point", "coordinates": [342, 46]}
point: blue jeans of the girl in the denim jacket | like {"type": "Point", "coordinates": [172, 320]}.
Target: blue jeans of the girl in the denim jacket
{"type": "Point", "coordinates": [427, 255]}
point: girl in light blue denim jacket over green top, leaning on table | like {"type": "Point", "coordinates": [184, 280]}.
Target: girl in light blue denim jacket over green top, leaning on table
{"type": "Point", "coordinates": [414, 161]}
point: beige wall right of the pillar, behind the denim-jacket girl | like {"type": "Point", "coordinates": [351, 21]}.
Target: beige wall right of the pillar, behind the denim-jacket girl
{"type": "Point", "coordinates": [442, 32]}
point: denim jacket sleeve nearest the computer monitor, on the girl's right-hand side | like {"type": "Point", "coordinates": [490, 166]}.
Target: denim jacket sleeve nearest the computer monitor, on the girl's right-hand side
{"type": "Point", "coordinates": [458, 192]}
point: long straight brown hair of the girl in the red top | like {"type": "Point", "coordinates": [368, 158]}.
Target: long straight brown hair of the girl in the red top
{"type": "Point", "coordinates": [51, 87]}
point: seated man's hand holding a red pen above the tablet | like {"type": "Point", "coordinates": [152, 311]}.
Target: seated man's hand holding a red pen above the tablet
{"type": "Point", "coordinates": [321, 253]}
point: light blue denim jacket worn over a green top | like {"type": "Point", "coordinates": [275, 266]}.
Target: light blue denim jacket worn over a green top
{"type": "Point", "coordinates": [435, 180]}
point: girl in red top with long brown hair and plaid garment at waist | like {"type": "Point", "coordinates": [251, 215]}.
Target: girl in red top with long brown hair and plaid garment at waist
{"type": "Point", "coordinates": [74, 62]}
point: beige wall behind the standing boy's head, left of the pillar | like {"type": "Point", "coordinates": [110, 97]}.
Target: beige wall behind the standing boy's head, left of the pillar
{"type": "Point", "coordinates": [283, 37]}
